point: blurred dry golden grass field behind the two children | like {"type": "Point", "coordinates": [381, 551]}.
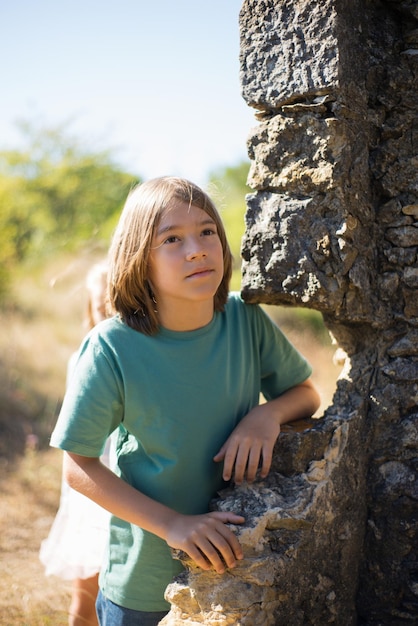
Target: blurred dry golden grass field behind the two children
{"type": "Point", "coordinates": [37, 336]}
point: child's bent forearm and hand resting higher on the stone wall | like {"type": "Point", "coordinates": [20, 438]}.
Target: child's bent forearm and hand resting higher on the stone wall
{"type": "Point", "coordinates": [254, 437]}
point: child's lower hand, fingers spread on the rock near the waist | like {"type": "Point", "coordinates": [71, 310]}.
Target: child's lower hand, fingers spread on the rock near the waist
{"type": "Point", "coordinates": [206, 539]}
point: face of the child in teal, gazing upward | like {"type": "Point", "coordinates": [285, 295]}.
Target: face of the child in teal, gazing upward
{"type": "Point", "coordinates": [186, 259]}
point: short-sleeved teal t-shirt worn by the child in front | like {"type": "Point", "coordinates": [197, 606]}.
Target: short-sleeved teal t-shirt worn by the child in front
{"type": "Point", "coordinates": [174, 397]}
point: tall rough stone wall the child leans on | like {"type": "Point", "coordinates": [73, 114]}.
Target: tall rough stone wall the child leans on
{"type": "Point", "coordinates": [331, 535]}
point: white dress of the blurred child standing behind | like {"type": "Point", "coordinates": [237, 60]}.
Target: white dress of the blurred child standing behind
{"type": "Point", "coordinates": [78, 536]}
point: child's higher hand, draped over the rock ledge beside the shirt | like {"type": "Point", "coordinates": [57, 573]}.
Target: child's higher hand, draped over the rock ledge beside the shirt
{"type": "Point", "coordinates": [249, 443]}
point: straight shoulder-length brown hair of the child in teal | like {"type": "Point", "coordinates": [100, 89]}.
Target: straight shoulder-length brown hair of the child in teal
{"type": "Point", "coordinates": [129, 291]}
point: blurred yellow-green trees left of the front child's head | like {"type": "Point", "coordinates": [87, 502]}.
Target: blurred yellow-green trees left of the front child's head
{"type": "Point", "coordinates": [54, 193]}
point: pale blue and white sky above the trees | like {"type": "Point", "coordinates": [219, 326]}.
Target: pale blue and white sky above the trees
{"type": "Point", "coordinates": [155, 80]}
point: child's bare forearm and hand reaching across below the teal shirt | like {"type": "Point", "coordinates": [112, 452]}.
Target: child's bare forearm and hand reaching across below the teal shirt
{"type": "Point", "coordinates": [205, 538]}
